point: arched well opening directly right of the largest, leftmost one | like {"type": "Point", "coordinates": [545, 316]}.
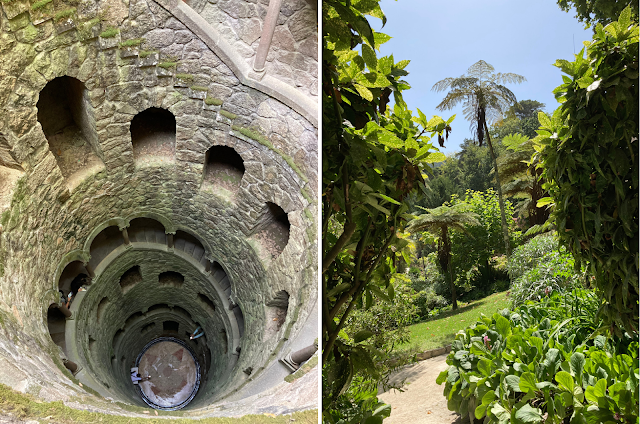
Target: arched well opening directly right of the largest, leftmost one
{"type": "Point", "coordinates": [153, 136]}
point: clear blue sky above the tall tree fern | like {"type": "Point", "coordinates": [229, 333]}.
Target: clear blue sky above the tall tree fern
{"type": "Point", "coordinates": [443, 38]}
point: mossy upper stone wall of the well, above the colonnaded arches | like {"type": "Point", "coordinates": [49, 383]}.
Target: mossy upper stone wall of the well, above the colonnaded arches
{"type": "Point", "coordinates": [49, 220]}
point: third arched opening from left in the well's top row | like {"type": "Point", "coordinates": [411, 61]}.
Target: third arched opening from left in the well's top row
{"type": "Point", "coordinates": [223, 169]}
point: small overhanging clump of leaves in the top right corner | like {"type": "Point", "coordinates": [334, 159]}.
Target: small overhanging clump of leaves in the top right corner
{"type": "Point", "coordinates": [603, 12]}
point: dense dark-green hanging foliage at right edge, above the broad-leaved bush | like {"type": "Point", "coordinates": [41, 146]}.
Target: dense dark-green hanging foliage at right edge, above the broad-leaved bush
{"type": "Point", "coordinates": [588, 152]}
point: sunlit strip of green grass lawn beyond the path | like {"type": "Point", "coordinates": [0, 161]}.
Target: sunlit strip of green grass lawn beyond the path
{"type": "Point", "coordinates": [441, 330]}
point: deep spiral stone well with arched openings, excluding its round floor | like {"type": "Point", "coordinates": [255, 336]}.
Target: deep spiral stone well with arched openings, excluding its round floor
{"type": "Point", "coordinates": [150, 170]}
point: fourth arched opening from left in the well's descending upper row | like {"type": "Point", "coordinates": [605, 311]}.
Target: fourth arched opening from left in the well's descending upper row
{"type": "Point", "coordinates": [272, 230]}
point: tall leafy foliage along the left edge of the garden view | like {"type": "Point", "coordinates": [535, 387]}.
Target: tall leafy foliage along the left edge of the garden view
{"type": "Point", "coordinates": [373, 158]}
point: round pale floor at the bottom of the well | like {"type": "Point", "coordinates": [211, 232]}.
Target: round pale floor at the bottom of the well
{"type": "Point", "coordinates": [174, 373]}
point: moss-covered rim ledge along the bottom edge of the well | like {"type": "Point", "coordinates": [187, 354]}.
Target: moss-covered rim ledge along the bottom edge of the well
{"type": "Point", "coordinates": [24, 407]}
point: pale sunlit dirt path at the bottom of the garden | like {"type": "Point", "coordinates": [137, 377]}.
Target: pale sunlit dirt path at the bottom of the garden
{"type": "Point", "coordinates": [422, 401]}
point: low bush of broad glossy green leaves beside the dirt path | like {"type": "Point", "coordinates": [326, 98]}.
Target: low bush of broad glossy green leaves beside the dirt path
{"type": "Point", "coordinates": [530, 367]}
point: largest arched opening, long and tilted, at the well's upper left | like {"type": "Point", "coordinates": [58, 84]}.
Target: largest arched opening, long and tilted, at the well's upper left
{"type": "Point", "coordinates": [67, 119]}
